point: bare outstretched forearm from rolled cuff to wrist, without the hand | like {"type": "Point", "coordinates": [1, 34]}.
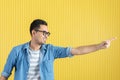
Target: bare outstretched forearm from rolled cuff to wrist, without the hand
{"type": "Point", "coordinates": [85, 49]}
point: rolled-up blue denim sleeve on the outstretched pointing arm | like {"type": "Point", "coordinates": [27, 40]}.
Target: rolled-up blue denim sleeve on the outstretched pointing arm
{"type": "Point", "coordinates": [62, 52]}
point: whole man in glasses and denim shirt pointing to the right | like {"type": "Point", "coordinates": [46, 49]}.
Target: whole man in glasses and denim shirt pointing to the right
{"type": "Point", "coordinates": [34, 60]}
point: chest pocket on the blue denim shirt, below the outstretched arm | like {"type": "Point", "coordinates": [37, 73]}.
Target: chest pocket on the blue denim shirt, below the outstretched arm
{"type": "Point", "coordinates": [47, 66]}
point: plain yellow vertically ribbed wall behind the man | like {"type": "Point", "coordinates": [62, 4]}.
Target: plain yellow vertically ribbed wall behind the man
{"type": "Point", "coordinates": [71, 23]}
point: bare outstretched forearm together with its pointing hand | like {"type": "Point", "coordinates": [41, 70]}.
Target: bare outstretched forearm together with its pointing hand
{"type": "Point", "coordinates": [91, 48]}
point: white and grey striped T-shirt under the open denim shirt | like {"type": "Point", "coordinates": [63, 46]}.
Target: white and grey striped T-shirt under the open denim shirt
{"type": "Point", "coordinates": [34, 73]}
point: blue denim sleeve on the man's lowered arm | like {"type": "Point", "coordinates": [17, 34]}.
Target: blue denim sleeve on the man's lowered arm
{"type": "Point", "coordinates": [10, 63]}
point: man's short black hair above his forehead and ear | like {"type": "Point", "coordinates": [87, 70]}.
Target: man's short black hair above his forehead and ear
{"type": "Point", "coordinates": [36, 24]}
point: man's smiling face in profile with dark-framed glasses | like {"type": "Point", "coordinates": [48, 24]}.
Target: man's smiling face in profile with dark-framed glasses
{"type": "Point", "coordinates": [40, 35]}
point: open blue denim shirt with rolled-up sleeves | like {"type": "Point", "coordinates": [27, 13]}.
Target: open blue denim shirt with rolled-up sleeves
{"type": "Point", "coordinates": [19, 58]}
